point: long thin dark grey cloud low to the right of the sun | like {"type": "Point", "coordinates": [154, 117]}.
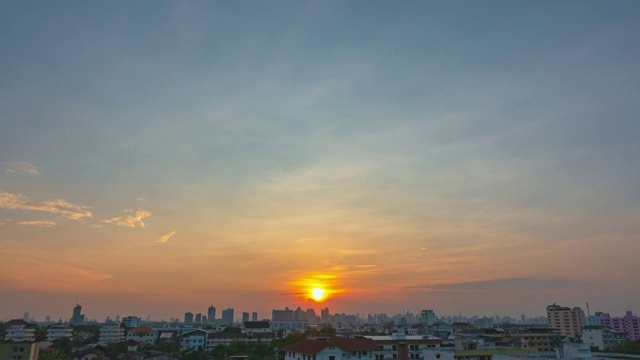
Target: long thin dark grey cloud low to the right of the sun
{"type": "Point", "coordinates": [503, 284]}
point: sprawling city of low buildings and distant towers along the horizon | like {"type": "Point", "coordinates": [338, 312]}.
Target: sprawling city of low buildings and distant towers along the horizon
{"type": "Point", "coordinates": [564, 333]}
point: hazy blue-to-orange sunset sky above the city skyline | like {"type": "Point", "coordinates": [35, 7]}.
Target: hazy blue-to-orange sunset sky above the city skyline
{"type": "Point", "coordinates": [473, 157]}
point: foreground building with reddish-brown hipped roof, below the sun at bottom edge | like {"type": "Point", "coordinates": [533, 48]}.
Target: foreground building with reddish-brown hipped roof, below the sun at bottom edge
{"type": "Point", "coordinates": [330, 349]}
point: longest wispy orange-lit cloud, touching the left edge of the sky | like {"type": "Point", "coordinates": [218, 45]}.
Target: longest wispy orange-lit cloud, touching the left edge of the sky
{"type": "Point", "coordinates": [58, 206]}
